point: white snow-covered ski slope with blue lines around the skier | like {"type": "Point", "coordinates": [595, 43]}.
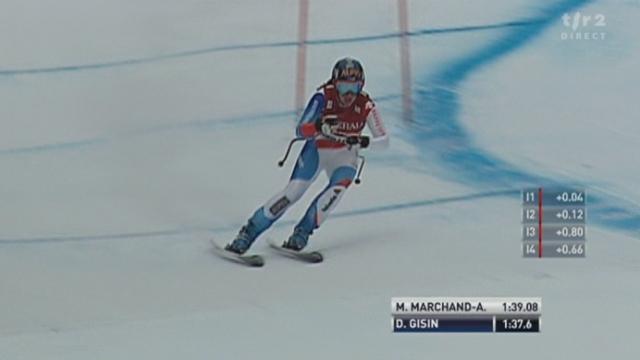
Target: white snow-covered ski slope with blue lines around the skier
{"type": "Point", "coordinates": [132, 132]}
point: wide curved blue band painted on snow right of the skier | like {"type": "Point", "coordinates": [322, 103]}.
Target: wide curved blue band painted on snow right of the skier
{"type": "Point", "coordinates": [441, 137]}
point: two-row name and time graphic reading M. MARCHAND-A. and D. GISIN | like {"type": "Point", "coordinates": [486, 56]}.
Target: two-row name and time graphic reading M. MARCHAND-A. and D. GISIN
{"type": "Point", "coordinates": [466, 315]}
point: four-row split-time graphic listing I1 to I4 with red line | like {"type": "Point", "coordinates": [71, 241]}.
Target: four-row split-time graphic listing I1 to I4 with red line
{"type": "Point", "coordinates": [554, 223]}
